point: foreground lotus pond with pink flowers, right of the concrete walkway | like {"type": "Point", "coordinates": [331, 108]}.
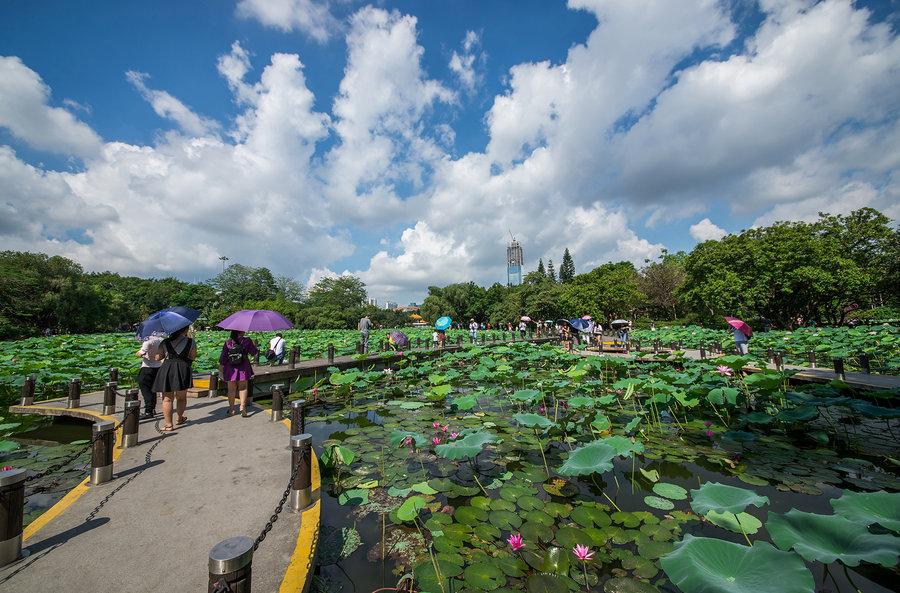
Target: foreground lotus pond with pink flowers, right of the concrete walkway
{"type": "Point", "coordinates": [524, 468]}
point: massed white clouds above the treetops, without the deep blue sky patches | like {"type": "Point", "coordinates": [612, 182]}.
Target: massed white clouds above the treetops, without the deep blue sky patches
{"type": "Point", "coordinates": [802, 118]}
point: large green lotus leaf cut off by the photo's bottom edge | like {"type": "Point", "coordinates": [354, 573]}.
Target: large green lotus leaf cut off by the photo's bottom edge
{"type": "Point", "coordinates": [707, 565]}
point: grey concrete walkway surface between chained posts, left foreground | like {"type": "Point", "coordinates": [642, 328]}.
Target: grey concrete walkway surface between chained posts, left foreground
{"type": "Point", "coordinates": [214, 478]}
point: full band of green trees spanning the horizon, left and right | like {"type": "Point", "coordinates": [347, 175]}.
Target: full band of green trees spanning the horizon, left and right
{"type": "Point", "coordinates": [830, 270]}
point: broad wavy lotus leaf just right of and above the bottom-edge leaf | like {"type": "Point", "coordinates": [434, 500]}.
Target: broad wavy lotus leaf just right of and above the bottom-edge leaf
{"type": "Point", "coordinates": [826, 538]}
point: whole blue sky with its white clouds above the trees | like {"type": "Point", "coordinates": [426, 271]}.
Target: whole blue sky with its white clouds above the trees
{"type": "Point", "coordinates": [404, 142]}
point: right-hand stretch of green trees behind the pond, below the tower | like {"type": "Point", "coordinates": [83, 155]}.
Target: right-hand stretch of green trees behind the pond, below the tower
{"type": "Point", "coordinates": [836, 268]}
